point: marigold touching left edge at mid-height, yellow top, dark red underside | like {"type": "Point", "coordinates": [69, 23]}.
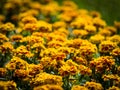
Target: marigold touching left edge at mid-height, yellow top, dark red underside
{"type": "Point", "coordinates": [6, 47]}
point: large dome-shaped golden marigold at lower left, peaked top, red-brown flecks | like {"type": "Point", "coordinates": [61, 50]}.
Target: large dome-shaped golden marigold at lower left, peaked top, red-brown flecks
{"type": "Point", "coordinates": [16, 63]}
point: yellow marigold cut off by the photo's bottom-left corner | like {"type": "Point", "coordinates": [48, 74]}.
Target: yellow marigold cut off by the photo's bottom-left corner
{"type": "Point", "coordinates": [7, 85]}
